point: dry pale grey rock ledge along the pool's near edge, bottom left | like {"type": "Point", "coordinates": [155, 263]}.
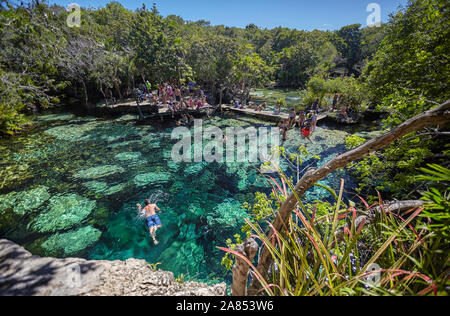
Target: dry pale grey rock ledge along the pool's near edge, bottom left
{"type": "Point", "coordinates": [24, 274]}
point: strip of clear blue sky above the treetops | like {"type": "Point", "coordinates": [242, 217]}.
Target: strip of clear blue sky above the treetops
{"type": "Point", "coordinates": [300, 14]}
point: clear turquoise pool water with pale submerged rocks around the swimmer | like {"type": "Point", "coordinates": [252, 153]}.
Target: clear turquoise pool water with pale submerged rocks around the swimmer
{"type": "Point", "coordinates": [69, 188]}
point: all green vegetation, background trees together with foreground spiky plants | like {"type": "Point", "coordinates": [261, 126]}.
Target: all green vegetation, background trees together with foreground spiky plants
{"type": "Point", "coordinates": [399, 69]}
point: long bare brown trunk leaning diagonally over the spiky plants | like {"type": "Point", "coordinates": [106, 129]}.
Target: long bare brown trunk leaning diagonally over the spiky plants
{"type": "Point", "coordinates": [437, 116]}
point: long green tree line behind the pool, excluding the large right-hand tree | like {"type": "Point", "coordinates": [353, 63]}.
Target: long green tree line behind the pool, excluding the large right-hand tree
{"type": "Point", "coordinates": [44, 62]}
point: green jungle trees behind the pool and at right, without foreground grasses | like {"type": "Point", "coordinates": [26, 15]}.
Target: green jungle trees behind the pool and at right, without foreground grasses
{"type": "Point", "coordinates": [401, 68]}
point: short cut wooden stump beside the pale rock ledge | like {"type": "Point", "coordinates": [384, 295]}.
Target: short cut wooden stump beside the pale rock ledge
{"type": "Point", "coordinates": [241, 268]}
